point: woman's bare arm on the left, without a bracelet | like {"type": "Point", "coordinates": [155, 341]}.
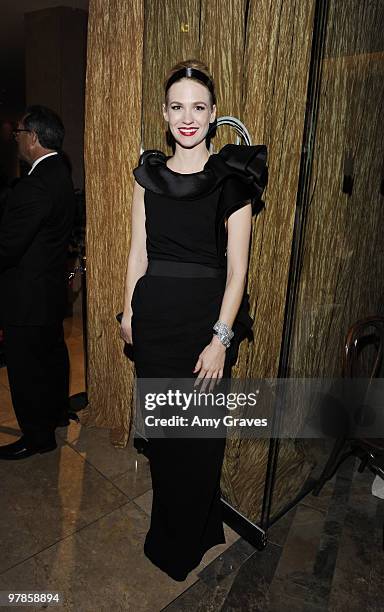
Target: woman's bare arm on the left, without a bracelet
{"type": "Point", "coordinates": [137, 259]}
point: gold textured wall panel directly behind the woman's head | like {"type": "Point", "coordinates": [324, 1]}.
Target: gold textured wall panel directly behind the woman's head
{"type": "Point", "coordinates": [197, 29]}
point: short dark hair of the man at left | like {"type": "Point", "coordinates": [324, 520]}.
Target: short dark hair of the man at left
{"type": "Point", "coordinates": [47, 125]}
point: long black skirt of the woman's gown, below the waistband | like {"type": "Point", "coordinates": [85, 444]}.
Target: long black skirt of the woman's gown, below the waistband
{"type": "Point", "coordinates": [171, 324]}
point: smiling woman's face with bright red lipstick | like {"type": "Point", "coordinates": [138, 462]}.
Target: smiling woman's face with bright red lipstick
{"type": "Point", "coordinates": [189, 112]}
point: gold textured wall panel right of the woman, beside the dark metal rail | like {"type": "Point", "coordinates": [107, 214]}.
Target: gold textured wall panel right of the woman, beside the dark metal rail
{"type": "Point", "coordinates": [276, 68]}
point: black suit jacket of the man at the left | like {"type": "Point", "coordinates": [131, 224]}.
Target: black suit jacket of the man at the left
{"type": "Point", "coordinates": [34, 236]}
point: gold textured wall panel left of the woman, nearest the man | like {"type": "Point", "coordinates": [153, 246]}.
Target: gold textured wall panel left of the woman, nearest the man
{"type": "Point", "coordinates": [113, 116]}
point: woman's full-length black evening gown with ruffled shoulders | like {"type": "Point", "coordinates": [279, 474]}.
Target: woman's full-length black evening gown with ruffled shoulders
{"type": "Point", "coordinates": [172, 322]}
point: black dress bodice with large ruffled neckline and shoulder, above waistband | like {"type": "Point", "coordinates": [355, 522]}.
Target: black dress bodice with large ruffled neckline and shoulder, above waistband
{"type": "Point", "coordinates": [185, 213]}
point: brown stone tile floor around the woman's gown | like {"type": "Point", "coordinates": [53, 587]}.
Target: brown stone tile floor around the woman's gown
{"type": "Point", "coordinates": [74, 520]}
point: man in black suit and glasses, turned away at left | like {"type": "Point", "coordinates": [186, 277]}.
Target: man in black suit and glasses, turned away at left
{"type": "Point", "coordinates": [34, 235]}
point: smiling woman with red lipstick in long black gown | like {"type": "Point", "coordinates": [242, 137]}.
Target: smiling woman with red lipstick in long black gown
{"type": "Point", "coordinates": [187, 269]}
